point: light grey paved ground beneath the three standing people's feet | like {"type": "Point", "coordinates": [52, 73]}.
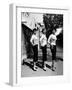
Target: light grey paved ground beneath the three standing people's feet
{"type": "Point", "coordinates": [27, 71]}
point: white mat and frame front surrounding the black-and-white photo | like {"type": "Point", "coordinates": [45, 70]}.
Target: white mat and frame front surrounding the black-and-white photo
{"type": "Point", "coordinates": [17, 79]}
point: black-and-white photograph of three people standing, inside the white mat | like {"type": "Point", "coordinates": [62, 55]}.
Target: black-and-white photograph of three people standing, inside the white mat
{"type": "Point", "coordinates": [41, 44]}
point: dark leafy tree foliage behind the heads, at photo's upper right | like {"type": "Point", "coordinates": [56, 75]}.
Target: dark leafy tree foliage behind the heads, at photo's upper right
{"type": "Point", "coordinates": [52, 21]}
